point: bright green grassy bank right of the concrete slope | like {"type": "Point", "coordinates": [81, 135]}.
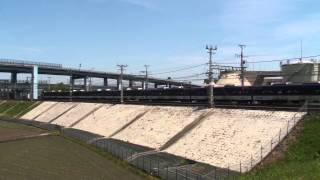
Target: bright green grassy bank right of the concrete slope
{"type": "Point", "coordinates": [301, 160]}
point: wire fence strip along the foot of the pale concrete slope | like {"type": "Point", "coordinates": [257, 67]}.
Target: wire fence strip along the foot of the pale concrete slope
{"type": "Point", "coordinates": [146, 161]}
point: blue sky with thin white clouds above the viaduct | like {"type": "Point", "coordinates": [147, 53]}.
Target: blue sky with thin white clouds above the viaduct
{"type": "Point", "coordinates": [162, 33]}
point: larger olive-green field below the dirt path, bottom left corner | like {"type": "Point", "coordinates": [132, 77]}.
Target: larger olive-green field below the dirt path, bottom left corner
{"type": "Point", "coordinates": [54, 157]}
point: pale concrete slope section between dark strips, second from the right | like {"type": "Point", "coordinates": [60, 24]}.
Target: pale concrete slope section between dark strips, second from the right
{"type": "Point", "coordinates": [159, 125]}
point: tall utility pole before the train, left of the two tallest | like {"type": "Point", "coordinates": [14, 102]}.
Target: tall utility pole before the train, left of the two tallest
{"type": "Point", "coordinates": [211, 51]}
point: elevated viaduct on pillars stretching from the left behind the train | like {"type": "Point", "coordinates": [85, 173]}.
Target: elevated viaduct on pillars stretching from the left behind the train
{"type": "Point", "coordinates": [35, 68]}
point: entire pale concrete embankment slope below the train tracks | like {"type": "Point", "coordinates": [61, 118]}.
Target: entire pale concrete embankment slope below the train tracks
{"type": "Point", "coordinates": [220, 137]}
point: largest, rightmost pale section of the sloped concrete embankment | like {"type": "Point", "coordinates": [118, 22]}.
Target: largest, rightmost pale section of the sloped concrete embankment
{"type": "Point", "coordinates": [230, 137]}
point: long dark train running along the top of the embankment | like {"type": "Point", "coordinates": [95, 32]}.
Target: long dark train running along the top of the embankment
{"type": "Point", "coordinates": [223, 95]}
